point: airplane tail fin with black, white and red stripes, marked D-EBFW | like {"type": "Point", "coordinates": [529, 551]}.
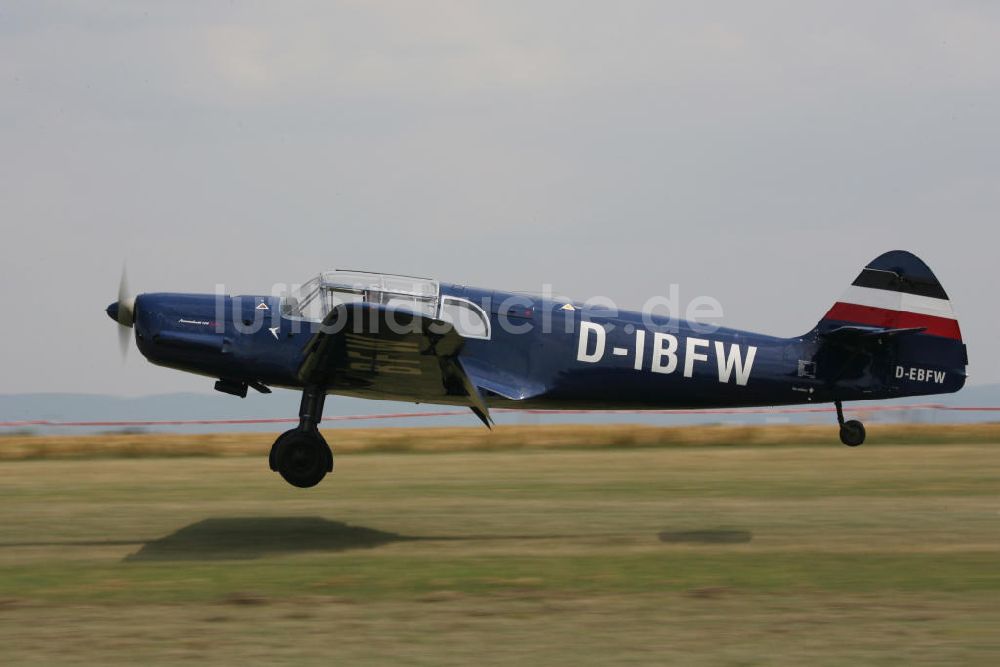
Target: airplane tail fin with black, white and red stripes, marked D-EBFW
{"type": "Point", "coordinates": [894, 332]}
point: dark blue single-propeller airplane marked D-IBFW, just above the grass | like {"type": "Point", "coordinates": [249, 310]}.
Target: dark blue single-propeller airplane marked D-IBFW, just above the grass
{"type": "Point", "coordinates": [378, 336]}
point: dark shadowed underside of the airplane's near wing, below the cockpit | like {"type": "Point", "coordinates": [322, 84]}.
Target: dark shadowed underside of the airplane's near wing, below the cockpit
{"type": "Point", "coordinates": [390, 353]}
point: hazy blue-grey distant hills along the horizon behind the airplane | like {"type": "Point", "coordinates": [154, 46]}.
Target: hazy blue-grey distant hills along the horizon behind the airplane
{"type": "Point", "coordinates": [281, 404]}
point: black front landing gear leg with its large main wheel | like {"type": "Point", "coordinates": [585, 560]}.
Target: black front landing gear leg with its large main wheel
{"type": "Point", "coordinates": [301, 456]}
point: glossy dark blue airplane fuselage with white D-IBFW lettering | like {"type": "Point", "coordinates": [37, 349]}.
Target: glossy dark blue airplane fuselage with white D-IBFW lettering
{"type": "Point", "coordinates": [568, 355]}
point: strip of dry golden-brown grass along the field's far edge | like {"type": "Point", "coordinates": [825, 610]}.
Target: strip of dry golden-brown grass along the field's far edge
{"type": "Point", "coordinates": [454, 439]}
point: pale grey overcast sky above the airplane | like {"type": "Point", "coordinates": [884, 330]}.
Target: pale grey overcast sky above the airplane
{"type": "Point", "coordinates": [760, 153]}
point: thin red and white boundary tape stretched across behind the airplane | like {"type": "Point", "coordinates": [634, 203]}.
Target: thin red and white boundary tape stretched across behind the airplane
{"type": "Point", "coordinates": [451, 413]}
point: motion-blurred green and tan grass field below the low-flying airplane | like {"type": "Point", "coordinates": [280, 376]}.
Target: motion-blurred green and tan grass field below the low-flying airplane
{"type": "Point", "coordinates": [588, 551]}
